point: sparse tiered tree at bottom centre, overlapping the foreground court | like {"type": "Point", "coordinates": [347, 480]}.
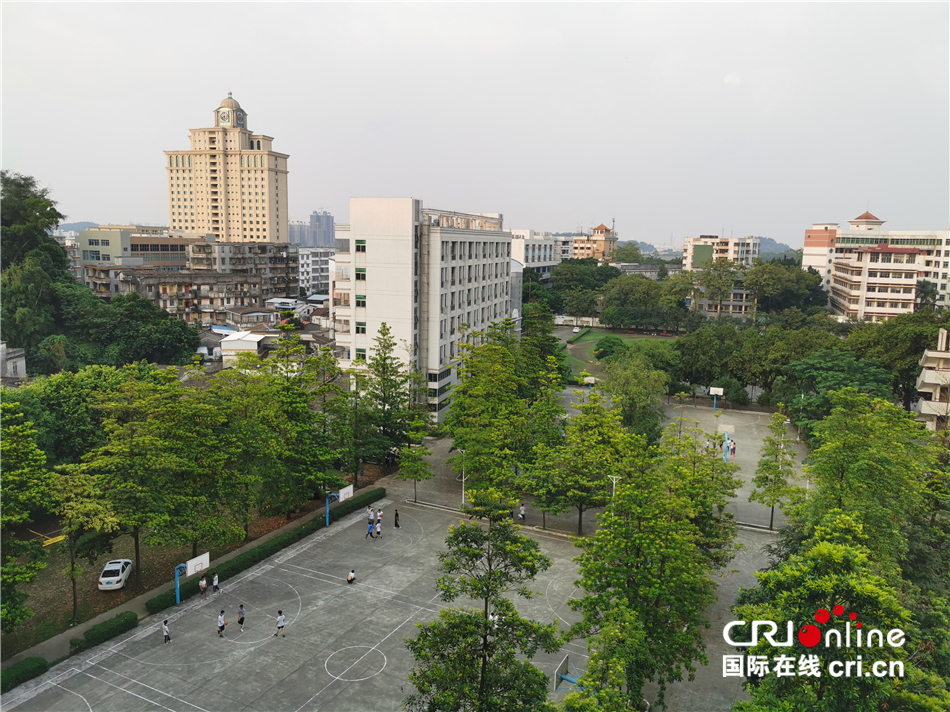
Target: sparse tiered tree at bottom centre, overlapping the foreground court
{"type": "Point", "coordinates": [479, 660]}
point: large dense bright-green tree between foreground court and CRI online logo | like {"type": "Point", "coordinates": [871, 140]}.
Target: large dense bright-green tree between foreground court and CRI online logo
{"type": "Point", "coordinates": [644, 556]}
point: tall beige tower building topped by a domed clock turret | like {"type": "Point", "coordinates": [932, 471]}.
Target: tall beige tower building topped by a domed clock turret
{"type": "Point", "coordinates": [230, 183]}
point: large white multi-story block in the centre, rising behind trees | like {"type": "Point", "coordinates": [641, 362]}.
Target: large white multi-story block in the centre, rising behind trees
{"type": "Point", "coordinates": [427, 274]}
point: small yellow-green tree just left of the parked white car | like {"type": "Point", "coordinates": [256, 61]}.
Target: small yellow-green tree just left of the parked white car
{"type": "Point", "coordinates": [79, 503]}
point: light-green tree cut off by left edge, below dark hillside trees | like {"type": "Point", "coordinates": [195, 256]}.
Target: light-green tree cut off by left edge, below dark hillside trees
{"type": "Point", "coordinates": [25, 483]}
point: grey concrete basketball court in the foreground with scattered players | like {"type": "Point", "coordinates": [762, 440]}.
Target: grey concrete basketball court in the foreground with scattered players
{"type": "Point", "coordinates": [344, 647]}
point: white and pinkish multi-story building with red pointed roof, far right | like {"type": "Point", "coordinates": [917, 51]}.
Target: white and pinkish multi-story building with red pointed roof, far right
{"type": "Point", "coordinates": [856, 292]}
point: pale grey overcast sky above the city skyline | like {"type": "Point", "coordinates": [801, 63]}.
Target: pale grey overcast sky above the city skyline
{"type": "Point", "coordinates": [670, 118]}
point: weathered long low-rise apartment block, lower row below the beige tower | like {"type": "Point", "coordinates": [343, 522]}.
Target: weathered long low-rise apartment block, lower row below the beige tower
{"type": "Point", "coordinates": [200, 297]}
